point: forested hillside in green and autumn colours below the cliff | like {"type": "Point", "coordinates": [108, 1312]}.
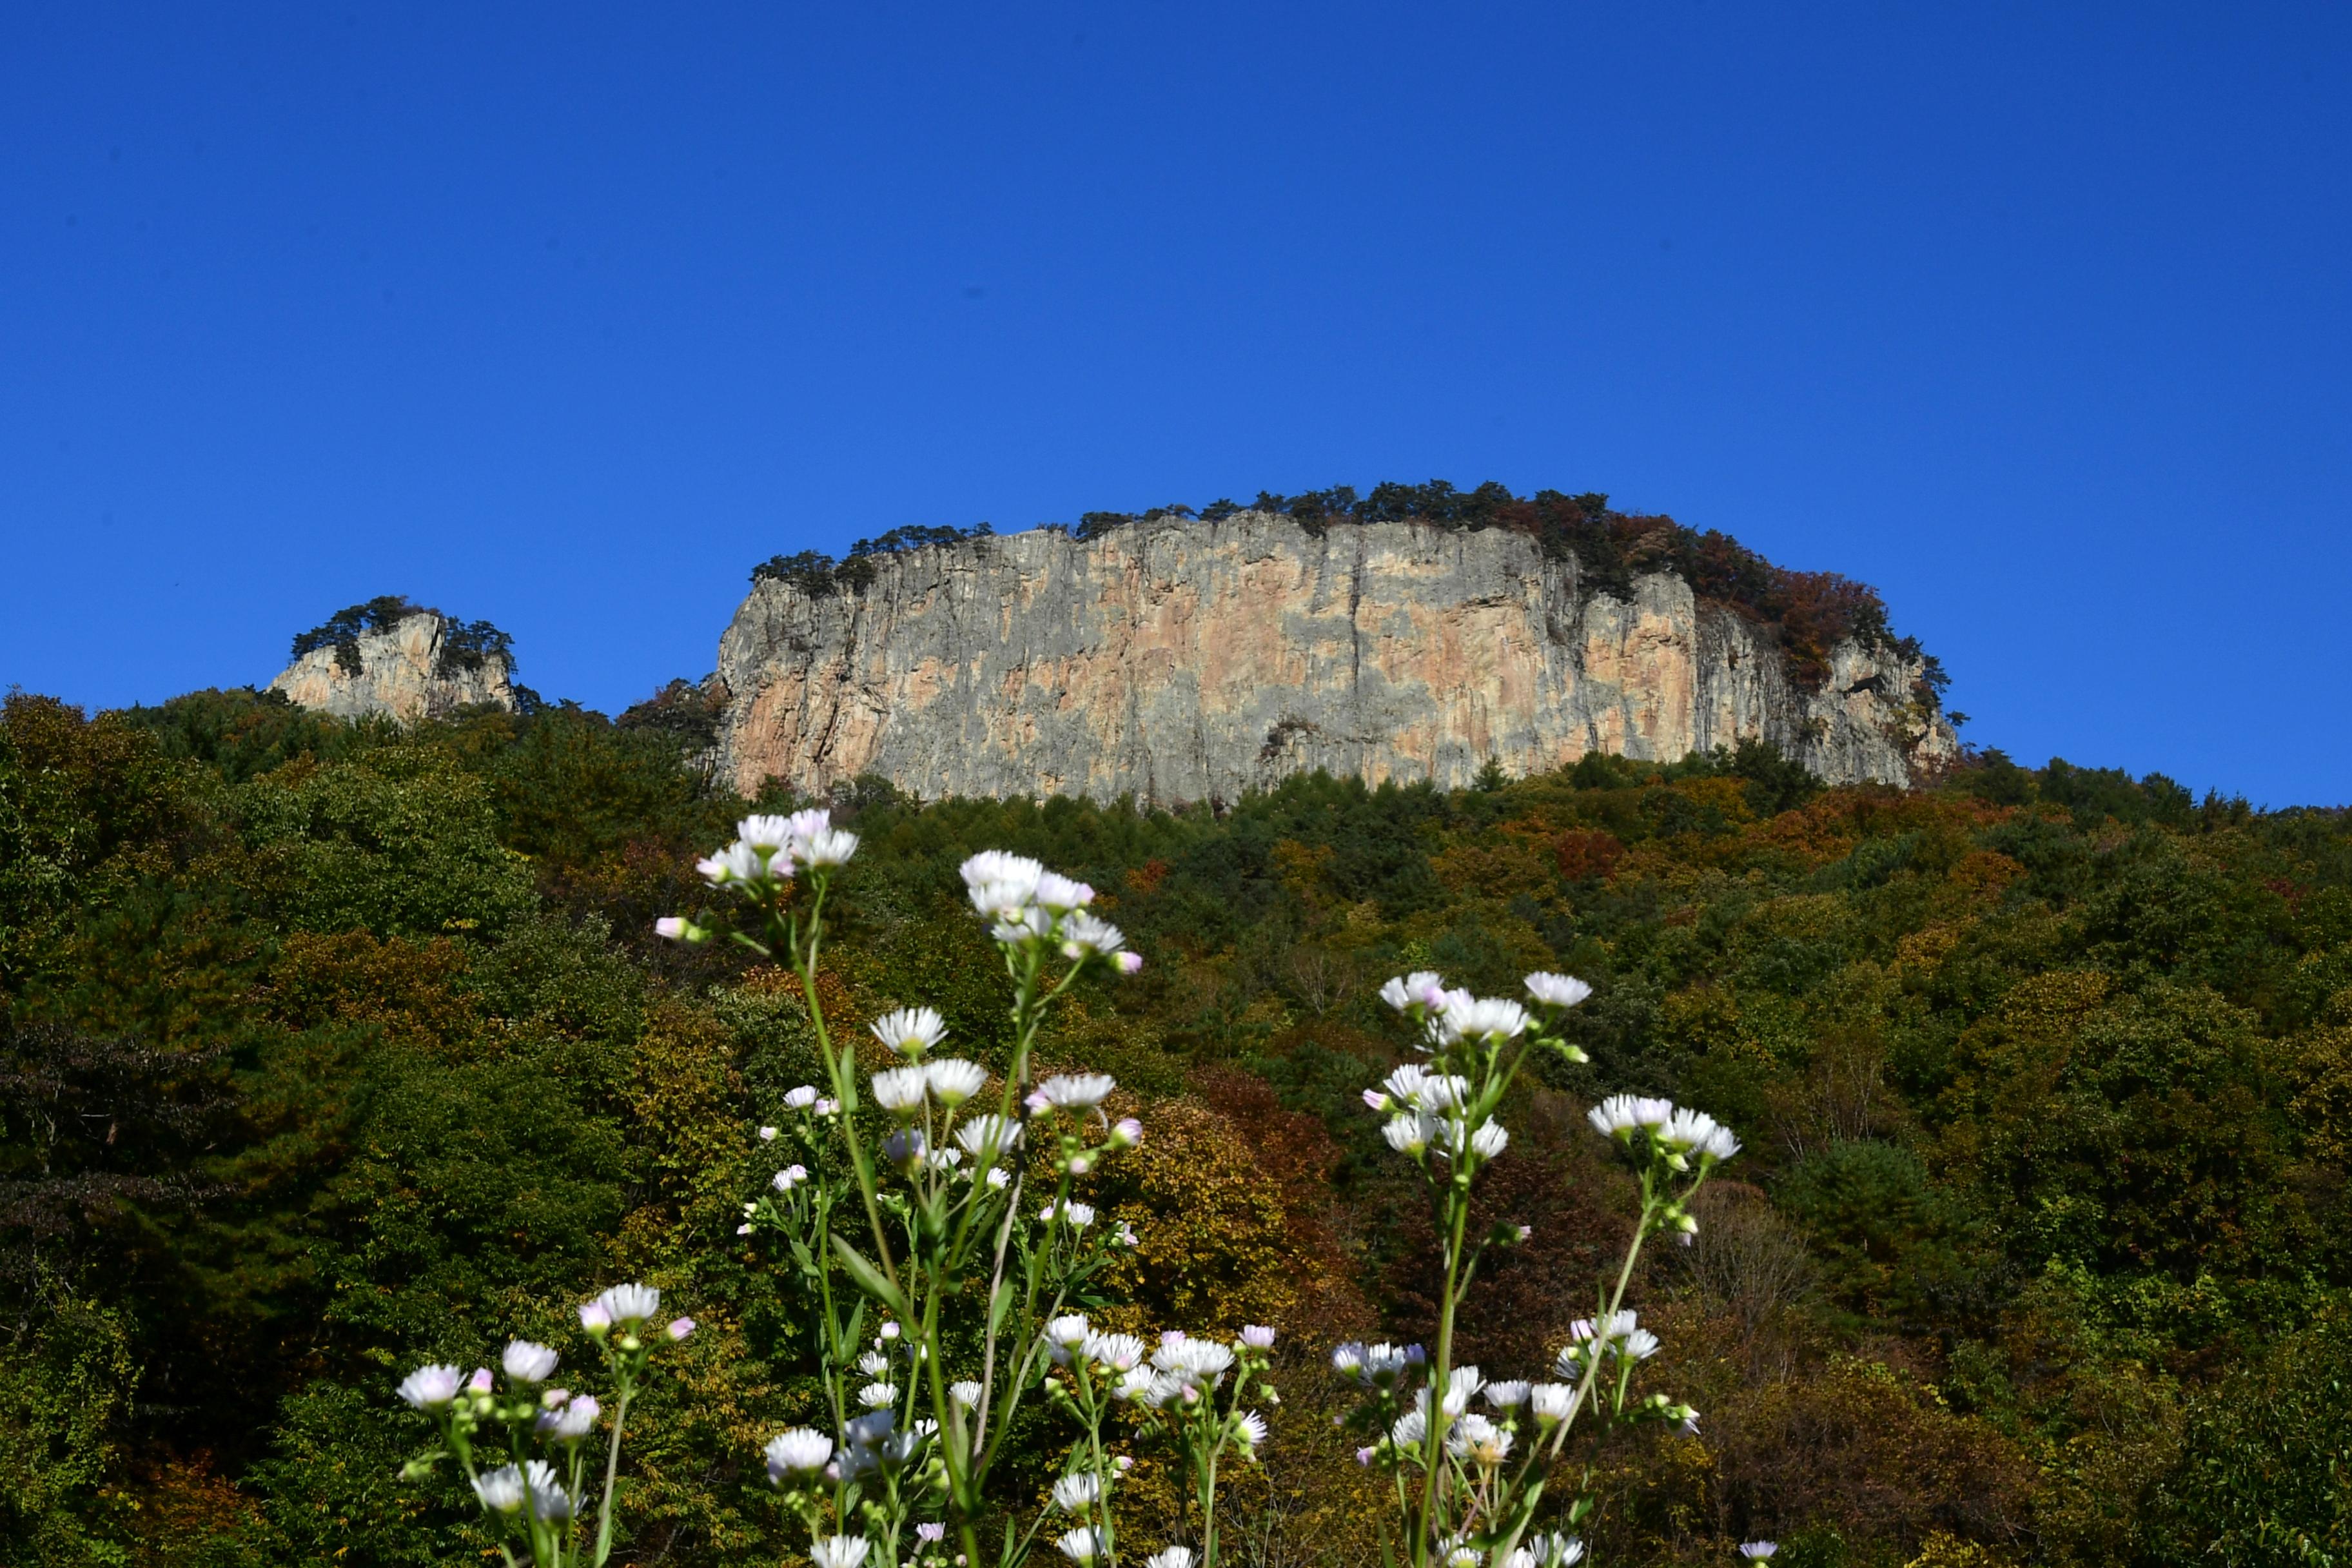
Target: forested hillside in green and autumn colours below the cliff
{"type": "Point", "coordinates": [335, 1045]}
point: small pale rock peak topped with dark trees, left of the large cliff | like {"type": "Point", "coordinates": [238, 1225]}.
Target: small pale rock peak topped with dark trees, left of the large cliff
{"type": "Point", "coordinates": [399, 659]}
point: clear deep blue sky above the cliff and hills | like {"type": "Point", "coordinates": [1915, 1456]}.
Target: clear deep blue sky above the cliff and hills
{"type": "Point", "coordinates": [2036, 316]}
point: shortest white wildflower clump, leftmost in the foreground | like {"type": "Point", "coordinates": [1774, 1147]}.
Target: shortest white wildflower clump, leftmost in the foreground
{"type": "Point", "coordinates": [530, 1449]}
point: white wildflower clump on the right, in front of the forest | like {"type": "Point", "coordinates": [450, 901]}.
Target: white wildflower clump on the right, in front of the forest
{"type": "Point", "coordinates": [1471, 1482]}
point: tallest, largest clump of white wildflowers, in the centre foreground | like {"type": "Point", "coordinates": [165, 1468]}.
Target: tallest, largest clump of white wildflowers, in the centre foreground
{"type": "Point", "coordinates": [930, 1217]}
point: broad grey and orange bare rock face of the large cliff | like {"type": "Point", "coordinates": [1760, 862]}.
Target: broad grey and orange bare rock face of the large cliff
{"type": "Point", "coordinates": [1194, 662]}
